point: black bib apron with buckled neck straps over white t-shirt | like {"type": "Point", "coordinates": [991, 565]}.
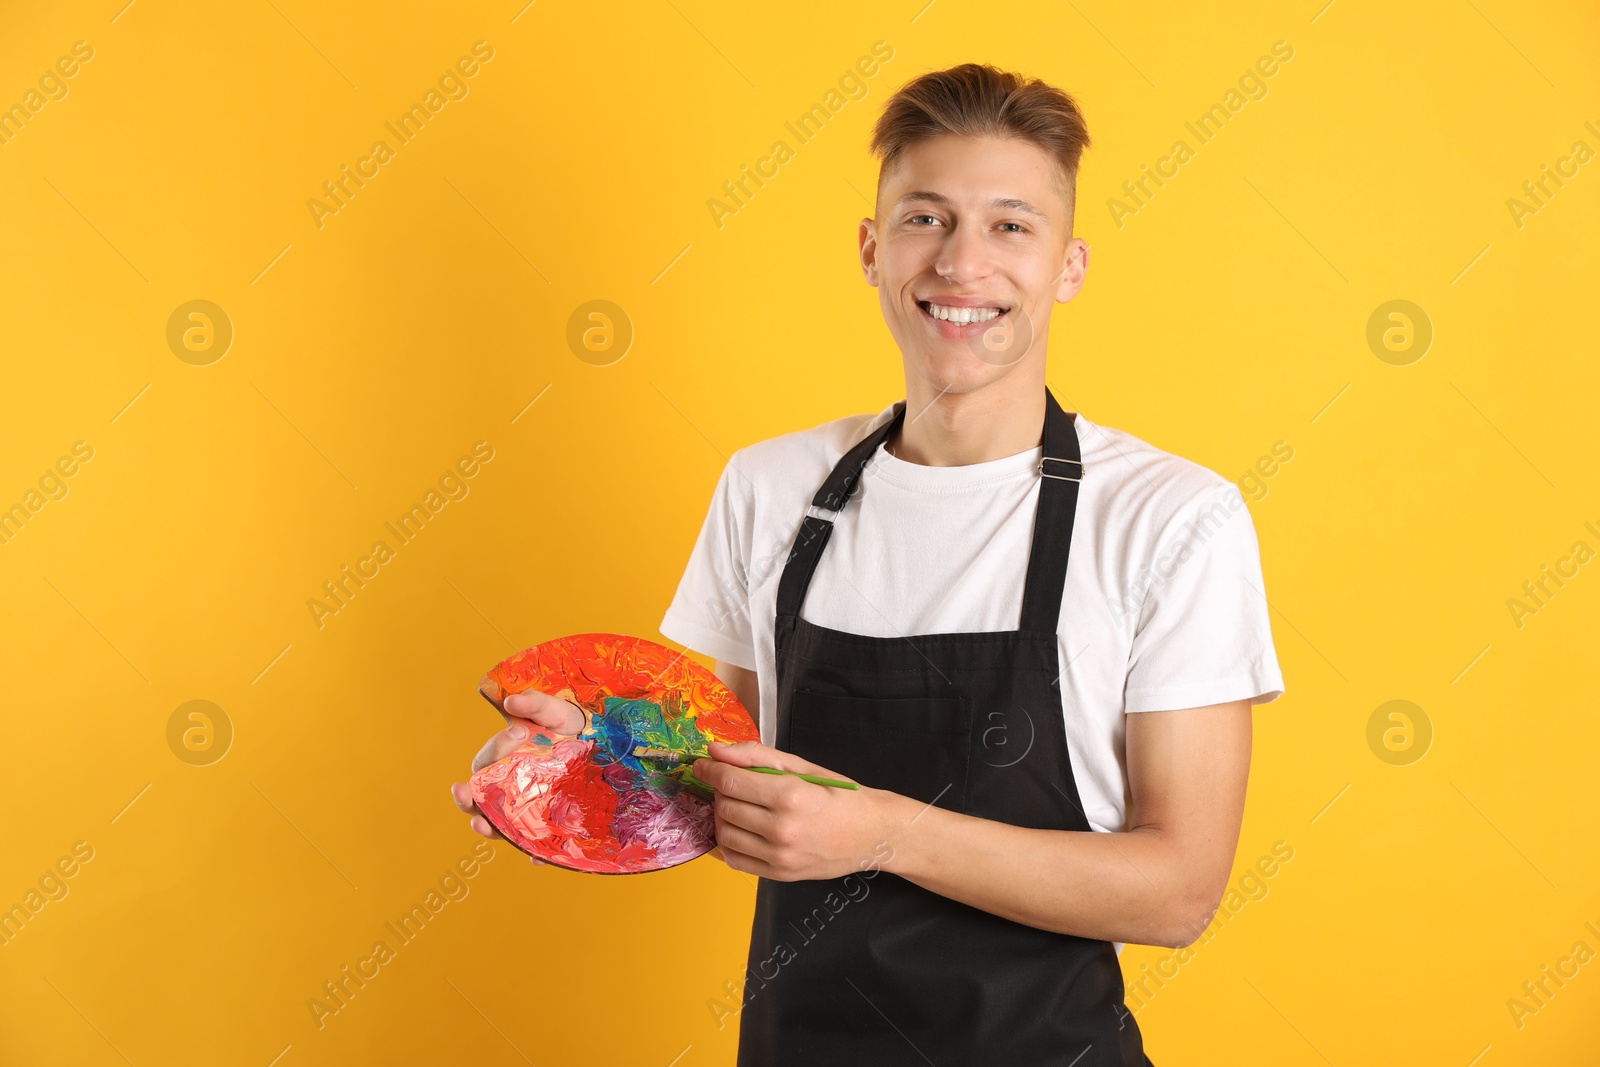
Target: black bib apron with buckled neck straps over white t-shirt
{"type": "Point", "coordinates": [871, 969]}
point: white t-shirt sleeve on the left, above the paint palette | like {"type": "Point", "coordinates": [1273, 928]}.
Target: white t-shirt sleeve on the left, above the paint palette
{"type": "Point", "coordinates": [711, 610]}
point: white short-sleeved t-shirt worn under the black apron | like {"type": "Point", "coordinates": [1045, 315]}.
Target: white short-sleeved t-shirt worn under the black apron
{"type": "Point", "coordinates": [1164, 604]}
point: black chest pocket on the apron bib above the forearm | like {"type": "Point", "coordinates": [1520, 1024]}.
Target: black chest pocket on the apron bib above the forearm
{"type": "Point", "coordinates": [918, 746]}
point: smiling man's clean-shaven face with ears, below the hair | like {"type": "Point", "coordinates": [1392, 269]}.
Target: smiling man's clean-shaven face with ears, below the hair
{"type": "Point", "coordinates": [970, 252]}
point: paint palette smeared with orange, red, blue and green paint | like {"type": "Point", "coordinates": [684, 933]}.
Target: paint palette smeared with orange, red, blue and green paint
{"type": "Point", "coordinates": [593, 802]}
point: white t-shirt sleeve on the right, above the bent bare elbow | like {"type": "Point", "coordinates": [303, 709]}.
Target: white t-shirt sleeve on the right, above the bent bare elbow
{"type": "Point", "coordinates": [1204, 636]}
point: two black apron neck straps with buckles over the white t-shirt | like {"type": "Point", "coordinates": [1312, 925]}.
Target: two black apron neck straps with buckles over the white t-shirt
{"type": "Point", "coordinates": [1058, 497]}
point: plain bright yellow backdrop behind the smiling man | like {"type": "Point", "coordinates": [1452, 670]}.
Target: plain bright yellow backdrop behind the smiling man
{"type": "Point", "coordinates": [1342, 255]}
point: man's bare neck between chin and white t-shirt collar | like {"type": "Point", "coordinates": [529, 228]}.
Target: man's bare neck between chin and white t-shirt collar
{"type": "Point", "coordinates": [950, 430]}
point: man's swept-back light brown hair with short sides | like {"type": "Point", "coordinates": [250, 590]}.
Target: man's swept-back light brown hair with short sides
{"type": "Point", "coordinates": [980, 100]}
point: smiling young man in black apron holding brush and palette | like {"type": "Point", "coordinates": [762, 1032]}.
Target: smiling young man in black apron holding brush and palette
{"type": "Point", "coordinates": [1054, 759]}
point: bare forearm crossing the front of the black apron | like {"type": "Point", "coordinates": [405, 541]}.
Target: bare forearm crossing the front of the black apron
{"type": "Point", "coordinates": [1132, 887]}
